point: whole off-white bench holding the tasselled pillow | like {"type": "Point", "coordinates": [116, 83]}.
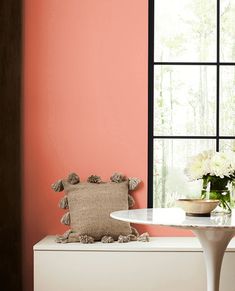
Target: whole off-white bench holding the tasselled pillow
{"type": "Point", "coordinates": [163, 264]}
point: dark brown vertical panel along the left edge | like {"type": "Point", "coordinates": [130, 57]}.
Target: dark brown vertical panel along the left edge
{"type": "Point", "coordinates": [10, 131]}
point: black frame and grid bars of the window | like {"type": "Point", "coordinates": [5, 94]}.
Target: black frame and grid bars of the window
{"type": "Point", "coordinates": [151, 64]}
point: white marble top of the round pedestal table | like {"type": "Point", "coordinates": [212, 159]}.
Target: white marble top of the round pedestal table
{"type": "Point", "coordinates": [174, 217]}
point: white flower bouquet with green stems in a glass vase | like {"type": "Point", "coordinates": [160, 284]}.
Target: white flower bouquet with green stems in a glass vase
{"type": "Point", "coordinates": [217, 170]}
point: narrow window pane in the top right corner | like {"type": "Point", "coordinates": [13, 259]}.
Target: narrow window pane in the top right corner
{"type": "Point", "coordinates": [227, 29]}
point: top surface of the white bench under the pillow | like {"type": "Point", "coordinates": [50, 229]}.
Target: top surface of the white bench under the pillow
{"type": "Point", "coordinates": [156, 244]}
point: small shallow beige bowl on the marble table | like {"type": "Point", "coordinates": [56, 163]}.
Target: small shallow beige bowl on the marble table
{"type": "Point", "coordinates": [197, 207]}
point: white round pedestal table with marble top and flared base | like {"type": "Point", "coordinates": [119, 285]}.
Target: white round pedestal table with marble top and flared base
{"type": "Point", "coordinates": [214, 233]}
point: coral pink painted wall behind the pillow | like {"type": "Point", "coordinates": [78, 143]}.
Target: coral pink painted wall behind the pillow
{"type": "Point", "coordinates": [85, 103]}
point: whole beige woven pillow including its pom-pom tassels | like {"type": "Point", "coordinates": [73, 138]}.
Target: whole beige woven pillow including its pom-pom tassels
{"type": "Point", "coordinates": [89, 205]}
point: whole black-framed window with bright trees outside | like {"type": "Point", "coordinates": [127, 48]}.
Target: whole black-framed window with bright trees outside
{"type": "Point", "coordinates": [191, 90]}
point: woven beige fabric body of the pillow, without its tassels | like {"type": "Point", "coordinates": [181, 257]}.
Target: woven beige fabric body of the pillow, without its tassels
{"type": "Point", "coordinates": [90, 205]}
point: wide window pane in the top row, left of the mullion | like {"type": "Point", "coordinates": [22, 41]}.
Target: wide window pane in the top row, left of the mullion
{"type": "Point", "coordinates": [185, 30]}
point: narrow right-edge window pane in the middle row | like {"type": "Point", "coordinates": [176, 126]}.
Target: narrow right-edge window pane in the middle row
{"type": "Point", "coordinates": [227, 100]}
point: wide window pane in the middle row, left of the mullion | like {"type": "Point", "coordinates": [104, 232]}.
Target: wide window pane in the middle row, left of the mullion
{"type": "Point", "coordinates": [184, 100]}
